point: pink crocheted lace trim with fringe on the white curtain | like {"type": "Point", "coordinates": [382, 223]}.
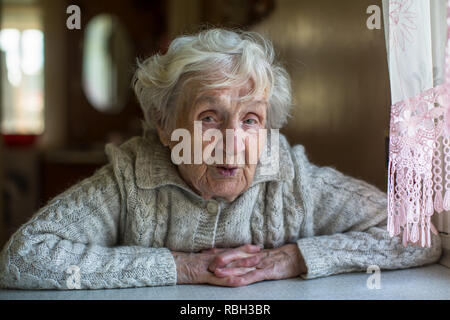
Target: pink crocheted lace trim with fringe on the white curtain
{"type": "Point", "coordinates": [419, 173]}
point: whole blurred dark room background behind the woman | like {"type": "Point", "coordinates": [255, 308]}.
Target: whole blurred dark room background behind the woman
{"type": "Point", "coordinates": [66, 92]}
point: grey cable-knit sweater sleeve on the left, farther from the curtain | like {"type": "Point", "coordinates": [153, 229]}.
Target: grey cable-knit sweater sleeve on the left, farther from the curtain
{"type": "Point", "coordinates": [72, 243]}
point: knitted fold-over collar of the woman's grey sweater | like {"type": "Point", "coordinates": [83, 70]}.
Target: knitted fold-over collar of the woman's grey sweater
{"type": "Point", "coordinates": [154, 168]}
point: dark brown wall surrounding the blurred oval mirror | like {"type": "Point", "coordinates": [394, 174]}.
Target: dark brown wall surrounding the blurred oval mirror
{"type": "Point", "coordinates": [145, 24]}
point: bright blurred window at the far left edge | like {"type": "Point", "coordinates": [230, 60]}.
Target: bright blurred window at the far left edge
{"type": "Point", "coordinates": [22, 65]}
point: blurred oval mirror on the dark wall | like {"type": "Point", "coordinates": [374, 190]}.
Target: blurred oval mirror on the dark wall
{"type": "Point", "coordinates": [107, 57]}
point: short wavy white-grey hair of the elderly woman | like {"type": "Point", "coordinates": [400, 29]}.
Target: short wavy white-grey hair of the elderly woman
{"type": "Point", "coordinates": [220, 58]}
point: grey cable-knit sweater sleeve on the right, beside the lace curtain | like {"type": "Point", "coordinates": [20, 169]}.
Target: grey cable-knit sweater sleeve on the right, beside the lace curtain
{"type": "Point", "coordinates": [344, 229]}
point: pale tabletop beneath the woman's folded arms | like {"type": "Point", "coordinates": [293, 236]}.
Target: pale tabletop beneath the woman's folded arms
{"type": "Point", "coordinates": [429, 282]}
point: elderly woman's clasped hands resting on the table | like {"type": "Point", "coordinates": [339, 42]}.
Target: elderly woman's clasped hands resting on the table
{"type": "Point", "coordinates": [233, 267]}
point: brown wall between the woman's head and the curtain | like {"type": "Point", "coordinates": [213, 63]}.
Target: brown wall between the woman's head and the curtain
{"type": "Point", "coordinates": [340, 83]}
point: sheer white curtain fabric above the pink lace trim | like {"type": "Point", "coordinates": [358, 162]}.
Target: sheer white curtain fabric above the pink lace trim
{"type": "Point", "coordinates": [416, 36]}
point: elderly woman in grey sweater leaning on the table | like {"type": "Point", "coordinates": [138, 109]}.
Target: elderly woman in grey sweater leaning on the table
{"type": "Point", "coordinates": [148, 219]}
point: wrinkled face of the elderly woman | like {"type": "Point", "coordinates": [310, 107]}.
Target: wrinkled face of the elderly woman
{"type": "Point", "coordinates": [222, 109]}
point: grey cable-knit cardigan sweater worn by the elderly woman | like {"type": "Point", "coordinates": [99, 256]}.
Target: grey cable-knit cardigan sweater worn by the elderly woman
{"type": "Point", "coordinates": [116, 229]}
